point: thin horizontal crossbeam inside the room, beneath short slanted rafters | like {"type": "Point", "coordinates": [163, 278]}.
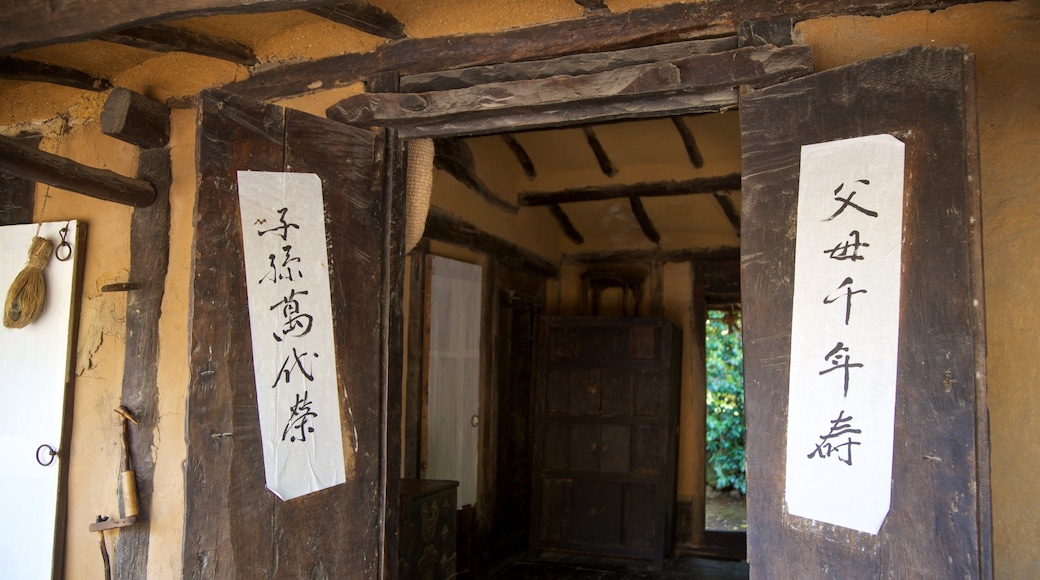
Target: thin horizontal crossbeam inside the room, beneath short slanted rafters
{"type": "Point", "coordinates": [647, 190]}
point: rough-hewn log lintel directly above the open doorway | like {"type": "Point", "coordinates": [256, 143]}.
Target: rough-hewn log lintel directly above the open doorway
{"type": "Point", "coordinates": [705, 73]}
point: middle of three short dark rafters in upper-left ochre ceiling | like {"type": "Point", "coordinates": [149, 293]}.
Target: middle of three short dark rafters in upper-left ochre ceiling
{"type": "Point", "coordinates": [159, 38]}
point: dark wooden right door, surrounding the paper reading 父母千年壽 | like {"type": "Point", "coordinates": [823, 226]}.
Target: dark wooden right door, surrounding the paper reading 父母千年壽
{"type": "Point", "coordinates": [939, 524]}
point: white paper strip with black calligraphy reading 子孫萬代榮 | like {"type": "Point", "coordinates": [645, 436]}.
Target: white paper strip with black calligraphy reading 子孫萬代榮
{"type": "Point", "coordinates": [291, 321]}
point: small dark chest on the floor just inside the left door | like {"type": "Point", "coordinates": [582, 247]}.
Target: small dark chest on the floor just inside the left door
{"type": "Point", "coordinates": [428, 530]}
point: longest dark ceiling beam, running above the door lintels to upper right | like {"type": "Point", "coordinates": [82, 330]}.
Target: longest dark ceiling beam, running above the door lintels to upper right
{"type": "Point", "coordinates": [594, 34]}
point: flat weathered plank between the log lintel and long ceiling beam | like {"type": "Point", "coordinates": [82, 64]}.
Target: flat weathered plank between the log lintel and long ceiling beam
{"type": "Point", "coordinates": [571, 65]}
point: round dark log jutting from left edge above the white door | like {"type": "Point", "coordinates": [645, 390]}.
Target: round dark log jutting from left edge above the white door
{"type": "Point", "coordinates": [27, 163]}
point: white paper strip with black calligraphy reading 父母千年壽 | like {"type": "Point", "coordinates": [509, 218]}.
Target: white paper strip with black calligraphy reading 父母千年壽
{"type": "Point", "coordinates": [845, 332]}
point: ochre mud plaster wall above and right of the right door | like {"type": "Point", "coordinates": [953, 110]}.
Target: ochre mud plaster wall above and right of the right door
{"type": "Point", "coordinates": [1006, 42]}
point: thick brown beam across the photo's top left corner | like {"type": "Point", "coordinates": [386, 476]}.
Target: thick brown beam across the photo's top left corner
{"type": "Point", "coordinates": [37, 23]}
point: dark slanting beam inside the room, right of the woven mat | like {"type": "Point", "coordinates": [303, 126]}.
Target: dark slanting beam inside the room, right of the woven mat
{"type": "Point", "coordinates": [447, 228]}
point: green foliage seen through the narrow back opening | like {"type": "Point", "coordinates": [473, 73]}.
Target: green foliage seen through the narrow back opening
{"type": "Point", "coordinates": [725, 402]}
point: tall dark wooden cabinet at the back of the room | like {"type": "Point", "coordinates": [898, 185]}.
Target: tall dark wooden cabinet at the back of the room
{"type": "Point", "coordinates": [606, 423]}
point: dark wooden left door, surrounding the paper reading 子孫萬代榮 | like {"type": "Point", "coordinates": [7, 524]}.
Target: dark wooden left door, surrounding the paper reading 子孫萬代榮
{"type": "Point", "coordinates": [236, 528]}
